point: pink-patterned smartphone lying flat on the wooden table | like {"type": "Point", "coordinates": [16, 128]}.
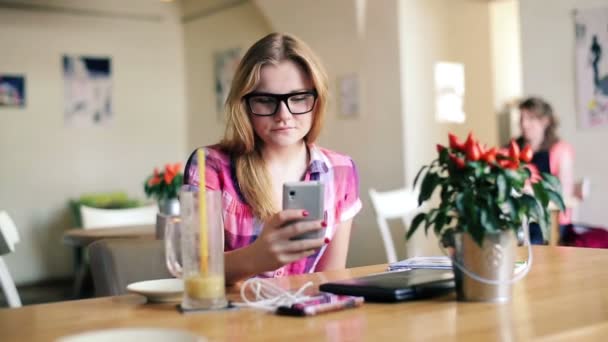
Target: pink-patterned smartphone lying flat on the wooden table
{"type": "Point", "coordinates": [325, 302]}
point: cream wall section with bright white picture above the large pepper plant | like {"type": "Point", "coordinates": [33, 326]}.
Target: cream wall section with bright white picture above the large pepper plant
{"type": "Point", "coordinates": [432, 31]}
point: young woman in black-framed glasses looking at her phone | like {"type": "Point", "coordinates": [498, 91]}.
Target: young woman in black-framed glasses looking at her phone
{"type": "Point", "coordinates": [275, 110]}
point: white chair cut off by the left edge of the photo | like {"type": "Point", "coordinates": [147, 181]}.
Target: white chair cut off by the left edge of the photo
{"type": "Point", "coordinates": [8, 238]}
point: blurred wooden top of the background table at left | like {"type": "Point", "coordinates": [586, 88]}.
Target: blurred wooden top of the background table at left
{"type": "Point", "coordinates": [83, 237]}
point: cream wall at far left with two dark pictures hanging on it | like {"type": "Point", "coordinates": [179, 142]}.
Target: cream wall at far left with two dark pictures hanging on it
{"type": "Point", "coordinates": [44, 163]}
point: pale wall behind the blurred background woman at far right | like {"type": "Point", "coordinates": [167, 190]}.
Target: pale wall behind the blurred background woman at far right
{"type": "Point", "coordinates": [547, 31]}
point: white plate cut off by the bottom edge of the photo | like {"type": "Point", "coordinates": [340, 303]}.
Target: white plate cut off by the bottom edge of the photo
{"type": "Point", "coordinates": [134, 334]}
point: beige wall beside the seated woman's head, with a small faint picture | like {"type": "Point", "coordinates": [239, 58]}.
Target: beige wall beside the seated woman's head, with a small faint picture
{"type": "Point", "coordinates": [374, 139]}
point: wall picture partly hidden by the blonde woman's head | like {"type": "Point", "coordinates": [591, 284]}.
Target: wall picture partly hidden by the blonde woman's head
{"type": "Point", "coordinates": [224, 65]}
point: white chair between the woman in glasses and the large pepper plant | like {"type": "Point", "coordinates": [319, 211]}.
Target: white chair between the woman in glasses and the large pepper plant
{"type": "Point", "coordinates": [394, 204]}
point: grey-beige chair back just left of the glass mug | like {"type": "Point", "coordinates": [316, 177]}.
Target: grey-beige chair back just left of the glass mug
{"type": "Point", "coordinates": [116, 263]}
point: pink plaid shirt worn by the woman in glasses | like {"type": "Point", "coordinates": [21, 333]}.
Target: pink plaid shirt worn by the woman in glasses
{"type": "Point", "coordinates": [241, 227]}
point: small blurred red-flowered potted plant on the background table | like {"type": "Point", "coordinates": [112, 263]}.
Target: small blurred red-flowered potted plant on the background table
{"type": "Point", "coordinates": [164, 187]}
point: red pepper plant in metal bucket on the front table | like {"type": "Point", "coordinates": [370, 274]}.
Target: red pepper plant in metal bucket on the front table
{"type": "Point", "coordinates": [486, 197]}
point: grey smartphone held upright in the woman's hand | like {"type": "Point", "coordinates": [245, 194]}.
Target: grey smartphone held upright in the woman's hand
{"type": "Point", "coordinates": [306, 196]}
